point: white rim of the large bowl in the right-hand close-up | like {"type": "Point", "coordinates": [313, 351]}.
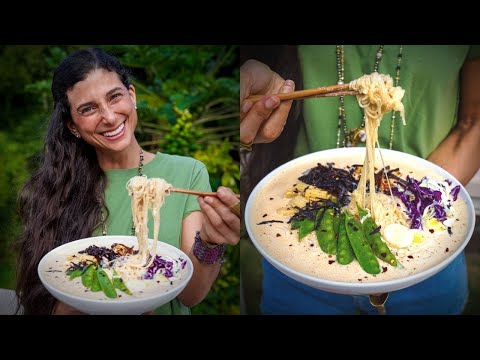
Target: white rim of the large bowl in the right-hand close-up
{"type": "Point", "coordinates": [351, 287]}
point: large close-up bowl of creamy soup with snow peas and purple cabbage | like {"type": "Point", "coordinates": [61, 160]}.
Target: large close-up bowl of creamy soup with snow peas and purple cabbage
{"type": "Point", "coordinates": [421, 244]}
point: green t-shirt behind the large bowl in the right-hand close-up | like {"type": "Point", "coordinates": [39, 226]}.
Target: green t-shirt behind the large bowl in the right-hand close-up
{"type": "Point", "coordinates": [428, 74]}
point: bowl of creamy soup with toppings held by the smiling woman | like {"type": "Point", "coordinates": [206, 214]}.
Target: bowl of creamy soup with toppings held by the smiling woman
{"type": "Point", "coordinates": [69, 272]}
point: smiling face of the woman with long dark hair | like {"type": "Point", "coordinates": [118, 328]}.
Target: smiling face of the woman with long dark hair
{"type": "Point", "coordinates": [103, 111]}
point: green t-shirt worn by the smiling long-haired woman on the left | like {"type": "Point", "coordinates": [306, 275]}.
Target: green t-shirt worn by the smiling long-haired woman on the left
{"type": "Point", "coordinates": [181, 172]}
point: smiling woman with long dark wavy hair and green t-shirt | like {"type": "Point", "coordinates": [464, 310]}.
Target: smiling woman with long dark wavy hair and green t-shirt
{"type": "Point", "coordinates": [80, 188]}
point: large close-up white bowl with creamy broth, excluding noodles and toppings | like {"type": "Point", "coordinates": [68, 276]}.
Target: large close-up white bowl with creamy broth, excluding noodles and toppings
{"type": "Point", "coordinates": [272, 237]}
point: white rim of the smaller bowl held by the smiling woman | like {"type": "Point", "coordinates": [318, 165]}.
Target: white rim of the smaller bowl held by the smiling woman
{"type": "Point", "coordinates": [119, 238]}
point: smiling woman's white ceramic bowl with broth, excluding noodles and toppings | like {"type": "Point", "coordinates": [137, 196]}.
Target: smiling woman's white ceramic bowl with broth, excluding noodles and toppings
{"type": "Point", "coordinates": [125, 305]}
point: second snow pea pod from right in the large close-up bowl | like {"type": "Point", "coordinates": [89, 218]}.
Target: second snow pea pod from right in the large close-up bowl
{"type": "Point", "coordinates": [361, 247]}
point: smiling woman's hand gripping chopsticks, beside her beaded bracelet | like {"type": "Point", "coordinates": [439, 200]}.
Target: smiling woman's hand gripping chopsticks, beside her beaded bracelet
{"type": "Point", "coordinates": [220, 224]}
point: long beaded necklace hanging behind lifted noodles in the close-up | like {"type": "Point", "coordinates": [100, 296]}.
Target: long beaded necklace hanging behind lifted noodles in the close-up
{"type": "Point", "coordinates": [353, 136]}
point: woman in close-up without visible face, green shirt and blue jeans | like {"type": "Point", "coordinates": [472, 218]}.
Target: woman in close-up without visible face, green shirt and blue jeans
{"type": "Point", "coordinates": [440, 128]}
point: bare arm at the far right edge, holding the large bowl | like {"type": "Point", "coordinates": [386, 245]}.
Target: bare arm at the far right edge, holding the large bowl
{"type": "Point", "coordinates": [458, 152]}
